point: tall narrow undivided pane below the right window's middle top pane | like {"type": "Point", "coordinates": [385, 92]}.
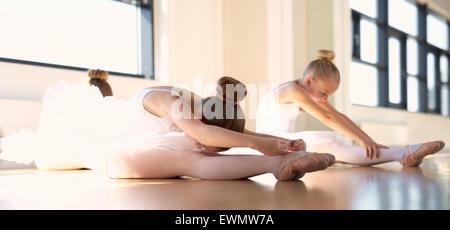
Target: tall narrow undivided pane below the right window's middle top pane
{"type": "Point", "coordinates": [394, 71]}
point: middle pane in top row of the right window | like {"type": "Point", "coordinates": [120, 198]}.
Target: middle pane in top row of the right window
{"type": "Point", "coordinates": [405, 21]}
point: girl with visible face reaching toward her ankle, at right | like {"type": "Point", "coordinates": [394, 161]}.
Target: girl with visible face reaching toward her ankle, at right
{"type": "Point", "coordinates": [279, 109]}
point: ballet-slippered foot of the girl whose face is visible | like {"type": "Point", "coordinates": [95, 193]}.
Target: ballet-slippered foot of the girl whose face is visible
{"type": "Point", "coordinates": [415, 159]}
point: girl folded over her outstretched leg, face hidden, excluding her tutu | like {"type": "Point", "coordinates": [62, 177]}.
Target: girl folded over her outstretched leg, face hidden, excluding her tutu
{"type": "Point", "coordinates": [213, 135]}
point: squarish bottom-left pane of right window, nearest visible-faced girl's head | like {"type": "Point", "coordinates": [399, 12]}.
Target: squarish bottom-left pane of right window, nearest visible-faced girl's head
{"type": "Point", "coordinates": [363, 84]}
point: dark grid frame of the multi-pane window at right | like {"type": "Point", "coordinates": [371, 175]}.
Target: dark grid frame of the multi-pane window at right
{"type": "Point", "coordinates": [385, 32]}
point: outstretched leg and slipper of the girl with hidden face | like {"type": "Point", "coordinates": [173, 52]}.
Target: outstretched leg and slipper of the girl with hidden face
{"type": "Point", "coordinates": [164, 163]}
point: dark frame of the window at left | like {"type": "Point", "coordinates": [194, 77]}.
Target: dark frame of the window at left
{"type": "Point", "coordinates": [145, 44]}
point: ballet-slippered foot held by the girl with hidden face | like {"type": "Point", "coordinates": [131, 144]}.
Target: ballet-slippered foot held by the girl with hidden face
{"type": "Point", "coordinates": [294, 169]}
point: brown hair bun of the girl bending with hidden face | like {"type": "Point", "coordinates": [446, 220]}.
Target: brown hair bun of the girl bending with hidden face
{"type": "Point", "coordinates": [239, 89]}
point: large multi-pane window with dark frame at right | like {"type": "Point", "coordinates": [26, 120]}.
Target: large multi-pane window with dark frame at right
{"type": "Point", "coordinates": [400, 56]}
